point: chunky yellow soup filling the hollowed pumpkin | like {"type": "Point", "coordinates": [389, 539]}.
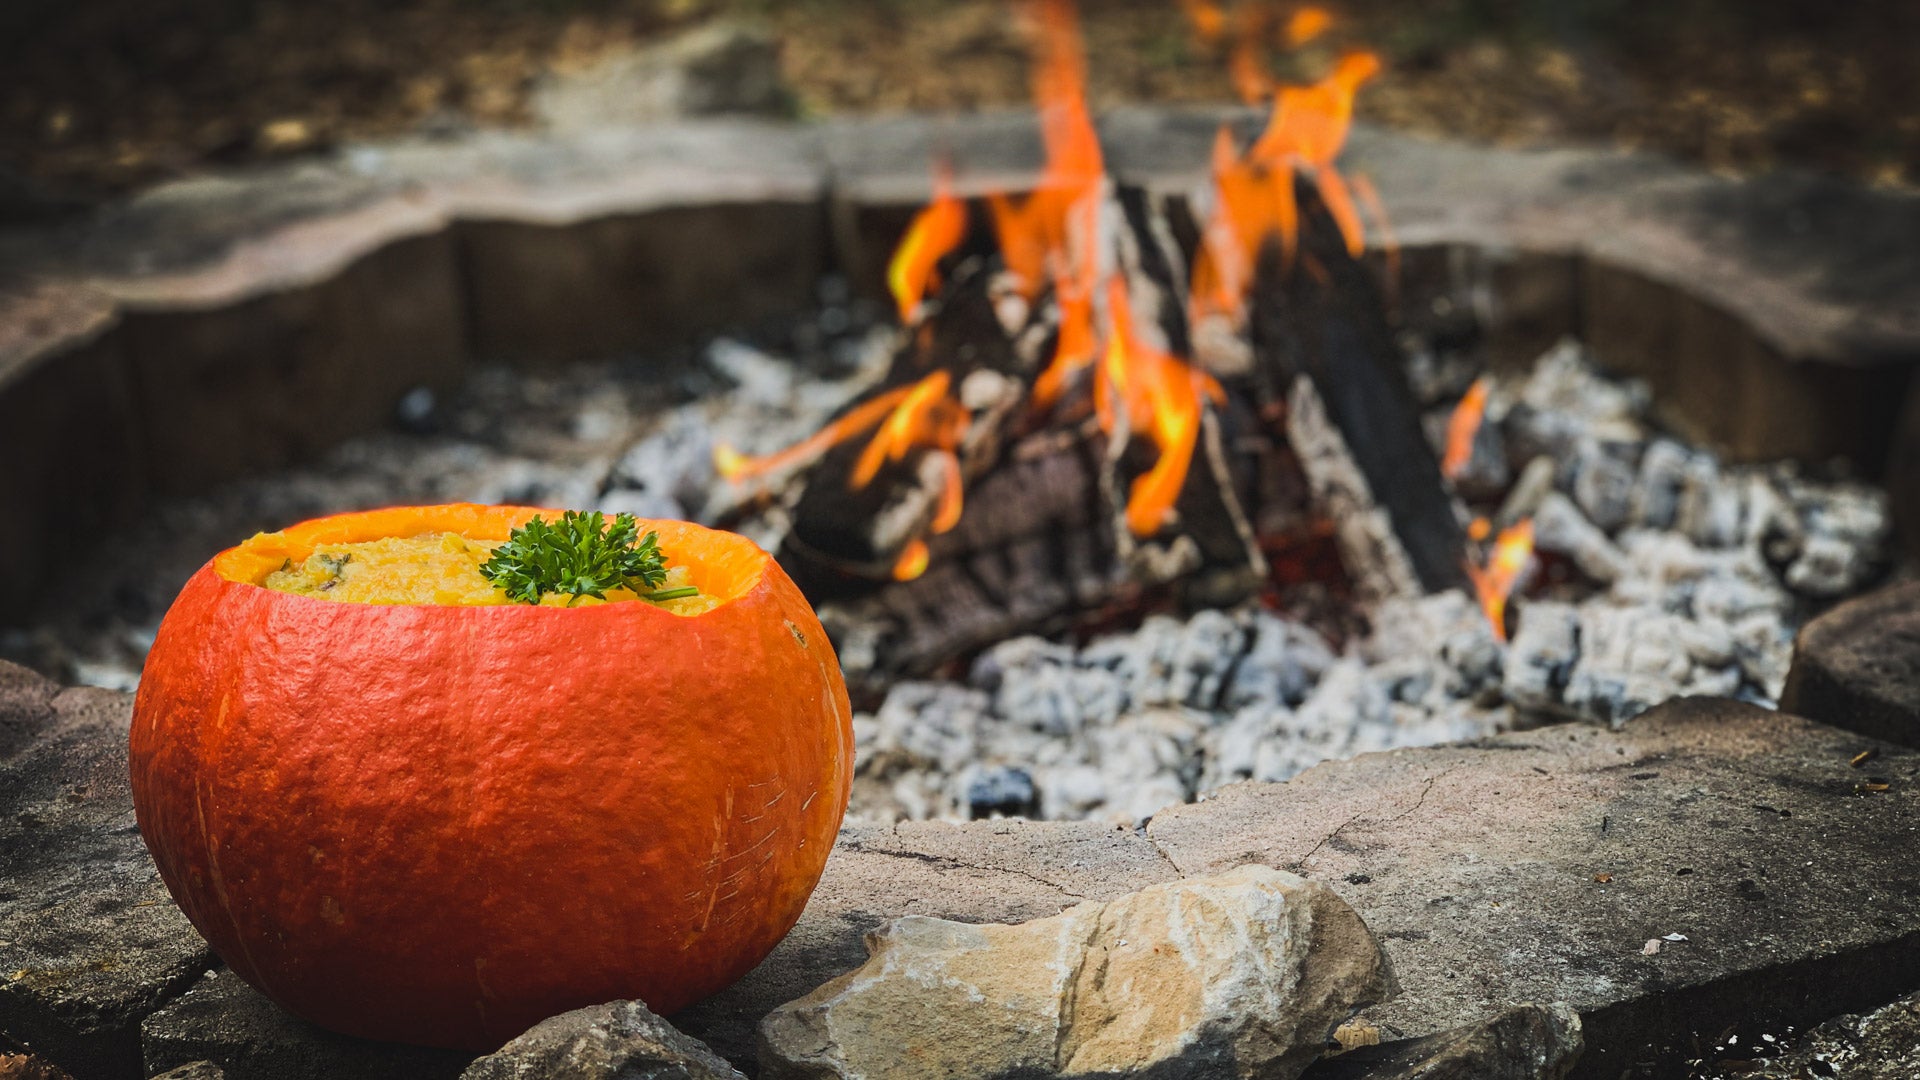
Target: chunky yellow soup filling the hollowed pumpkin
{"type": "Point", "coordinates": [435, 568]}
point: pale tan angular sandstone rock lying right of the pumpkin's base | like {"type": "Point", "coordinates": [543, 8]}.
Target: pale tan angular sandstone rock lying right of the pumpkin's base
{"type": "Point", "coordinates": [1236, 975]}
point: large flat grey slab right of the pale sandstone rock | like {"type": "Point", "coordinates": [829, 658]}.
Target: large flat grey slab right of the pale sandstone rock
{"type": "Point", "coordinates": [1708, 864]}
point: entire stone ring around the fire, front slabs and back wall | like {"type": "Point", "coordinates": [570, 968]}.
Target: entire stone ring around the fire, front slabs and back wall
{"type": "Point", "coordinates": [245, 322]}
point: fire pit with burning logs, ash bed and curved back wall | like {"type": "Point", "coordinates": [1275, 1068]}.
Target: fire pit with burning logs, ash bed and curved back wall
{"type": "Point", "coordinates": [1124, 460]}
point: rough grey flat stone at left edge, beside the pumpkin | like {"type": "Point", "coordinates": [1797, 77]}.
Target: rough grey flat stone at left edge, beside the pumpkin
{"type": "Point", "coordinates": [89, 937]}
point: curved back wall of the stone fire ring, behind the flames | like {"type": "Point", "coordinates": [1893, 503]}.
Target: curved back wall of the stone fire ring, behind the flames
{"type": "Point", "coordinates": [245, 322]}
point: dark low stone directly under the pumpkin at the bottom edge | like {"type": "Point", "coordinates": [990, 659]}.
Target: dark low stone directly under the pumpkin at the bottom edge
{"type": "Point", "coordinates": [235, 1027]}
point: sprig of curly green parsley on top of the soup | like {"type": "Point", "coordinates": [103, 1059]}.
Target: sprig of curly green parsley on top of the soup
{"type": "Point", "coordinates": [581, 556]}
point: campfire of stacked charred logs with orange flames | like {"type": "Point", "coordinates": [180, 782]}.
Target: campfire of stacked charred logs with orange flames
{"type": "Point", "coordinates": [1170, 395]}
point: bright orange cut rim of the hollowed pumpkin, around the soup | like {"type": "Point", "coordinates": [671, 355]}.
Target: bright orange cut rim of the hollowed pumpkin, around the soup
{"type": "Point", "coordinates": [725, 566]}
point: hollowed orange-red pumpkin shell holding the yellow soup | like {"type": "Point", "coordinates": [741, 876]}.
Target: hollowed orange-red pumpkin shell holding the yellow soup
{"type": "Point", "coordinates": [443, 825]}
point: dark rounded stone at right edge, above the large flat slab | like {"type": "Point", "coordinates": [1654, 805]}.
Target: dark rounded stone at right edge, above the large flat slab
{"type": "Point", "coordinates": [1858, 668]}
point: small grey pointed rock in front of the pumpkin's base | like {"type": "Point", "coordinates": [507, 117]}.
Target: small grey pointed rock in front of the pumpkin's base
{"type": "Point", "coordinates": [619, 1041]}
